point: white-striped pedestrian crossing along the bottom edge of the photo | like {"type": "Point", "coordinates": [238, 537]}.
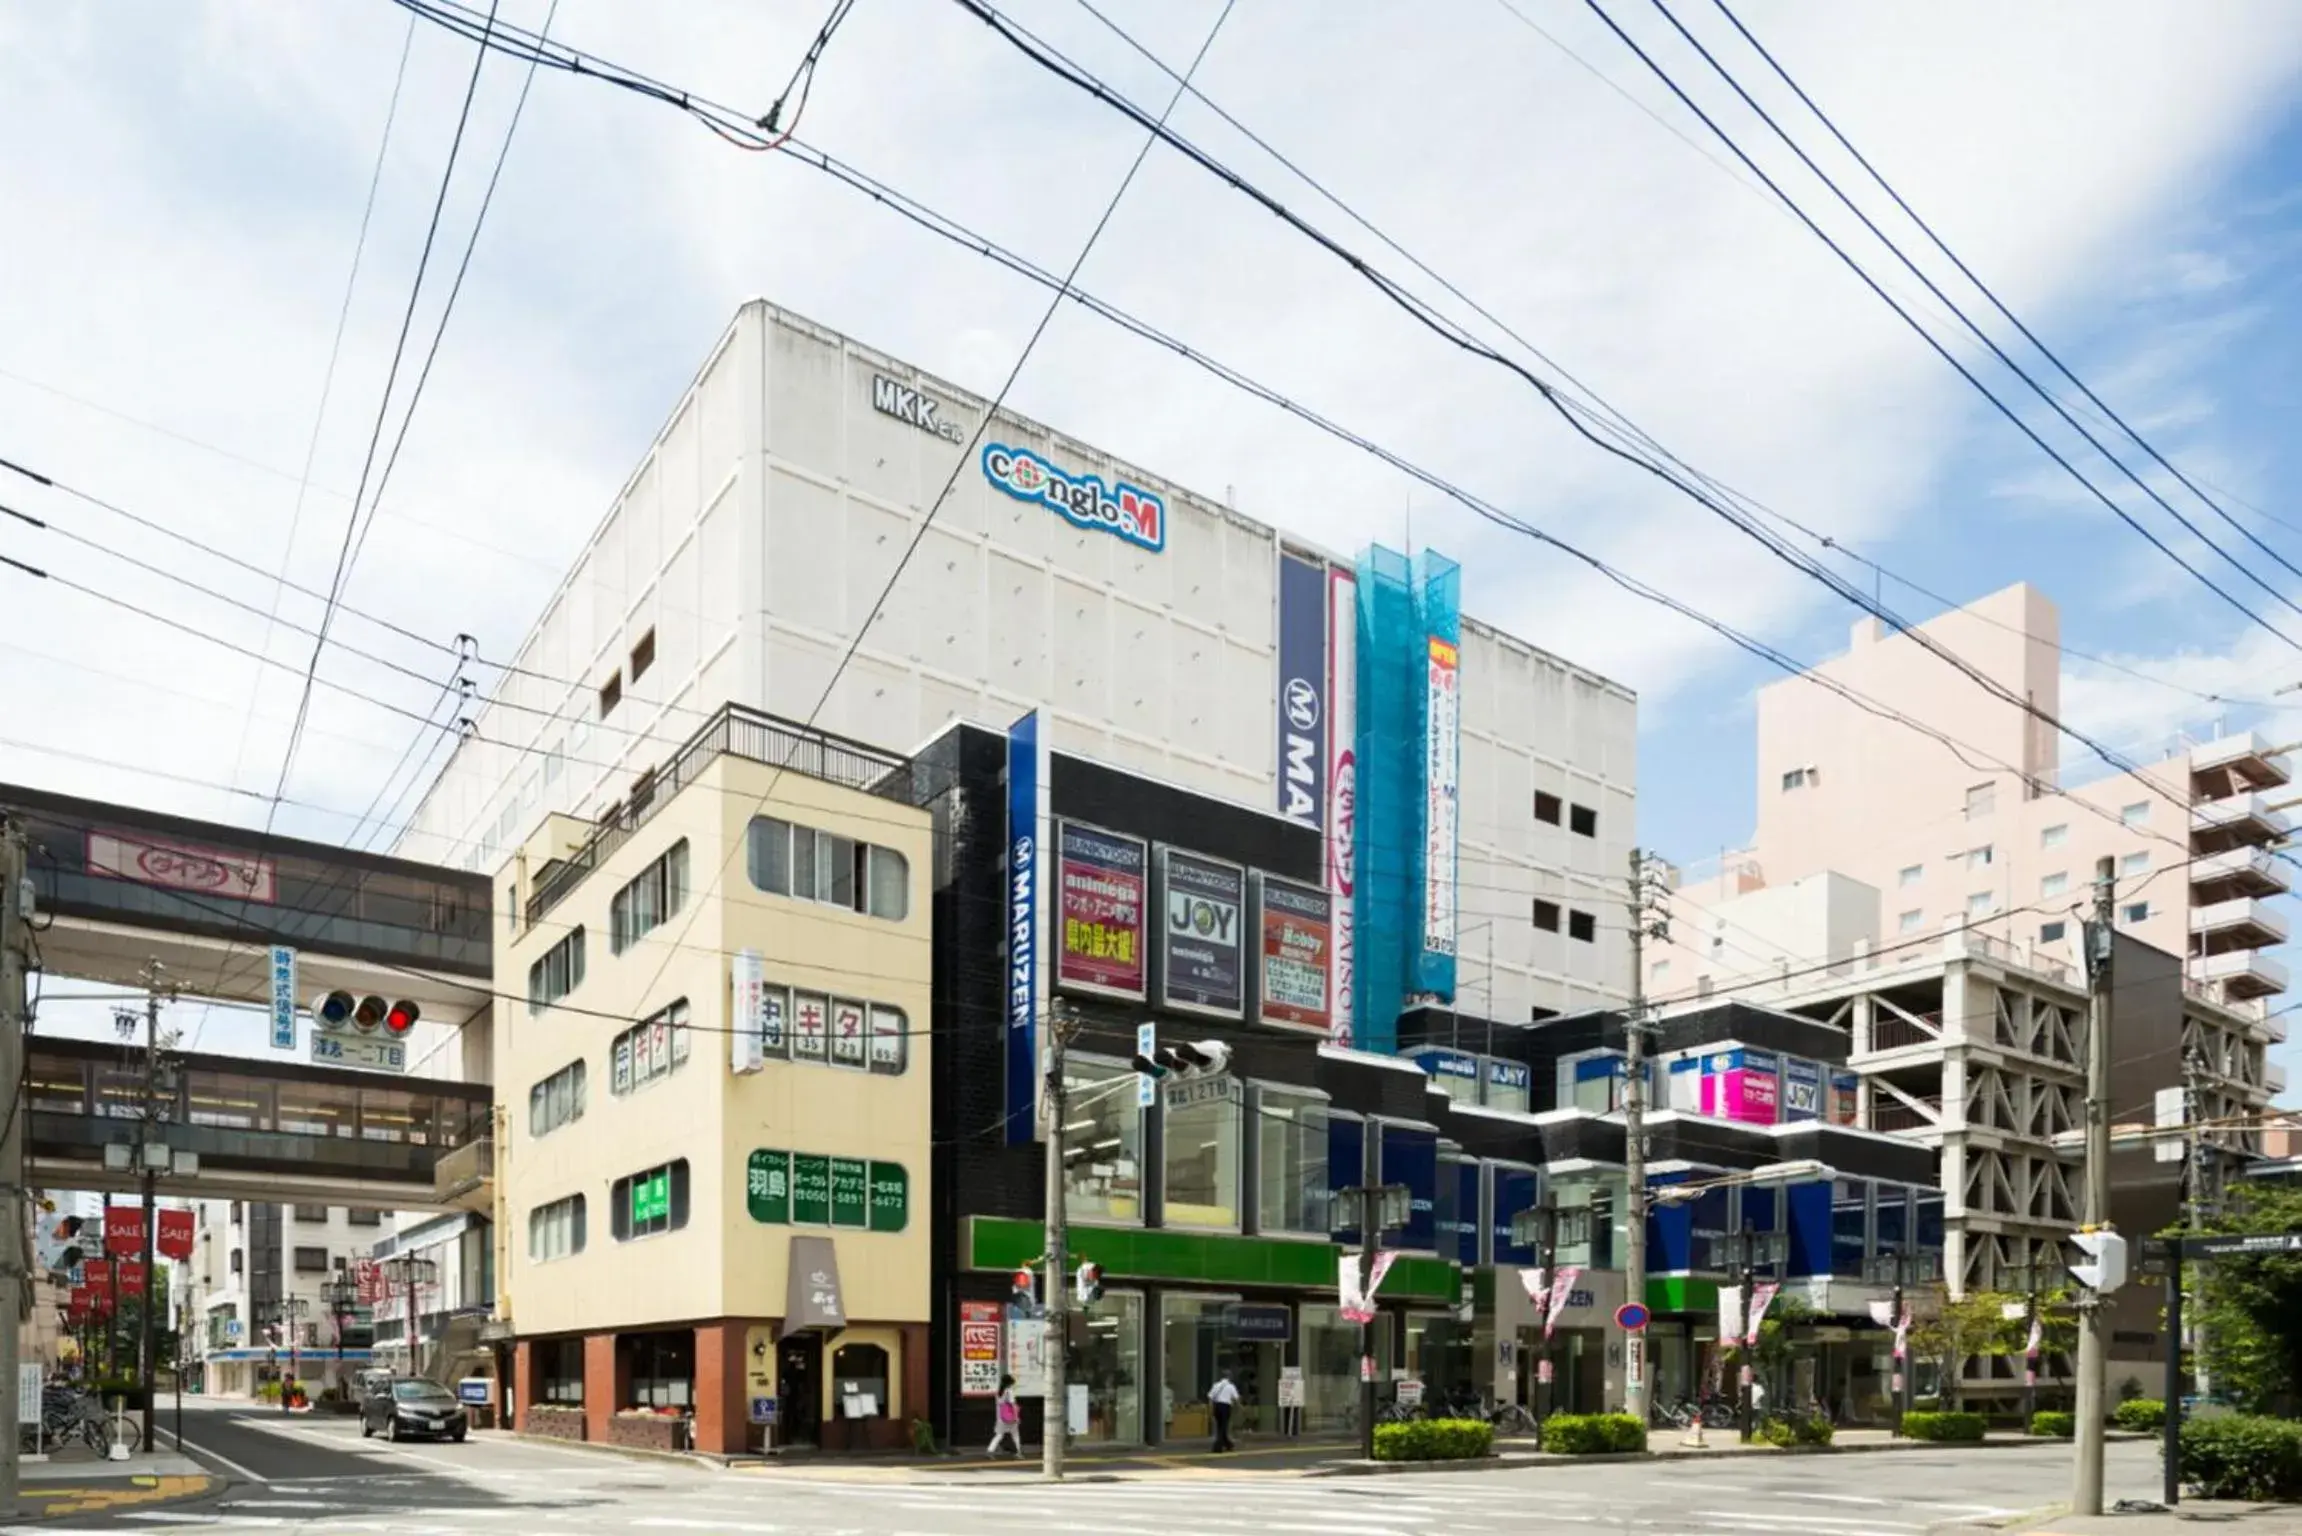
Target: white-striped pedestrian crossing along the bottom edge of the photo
{"type": "Point", "coordinates": [1633, 1503]}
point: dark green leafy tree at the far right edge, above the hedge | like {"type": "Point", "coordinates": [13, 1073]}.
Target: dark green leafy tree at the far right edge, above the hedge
{"type": "Point", "coordinates": [2250, 1309]}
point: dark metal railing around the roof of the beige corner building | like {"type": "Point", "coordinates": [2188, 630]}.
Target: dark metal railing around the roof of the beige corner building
{"type": "Point", "coordinates": [735, 731]}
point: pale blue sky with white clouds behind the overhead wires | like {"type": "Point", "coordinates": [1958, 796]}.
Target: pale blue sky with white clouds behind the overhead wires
{"type": "Point", "coordinates": [181, 252]}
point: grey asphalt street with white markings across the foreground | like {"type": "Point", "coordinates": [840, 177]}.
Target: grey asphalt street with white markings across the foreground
{"type": "Point", "coordinates": [317, 1475]}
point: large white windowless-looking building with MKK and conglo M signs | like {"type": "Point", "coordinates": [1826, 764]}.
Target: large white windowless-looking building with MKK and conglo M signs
{"type": "Point", "coordinates": [752, 547]}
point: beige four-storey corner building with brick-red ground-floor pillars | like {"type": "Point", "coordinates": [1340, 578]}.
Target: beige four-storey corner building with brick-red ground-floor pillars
{"type": "Point", "coordinates": [712, 1060]}
